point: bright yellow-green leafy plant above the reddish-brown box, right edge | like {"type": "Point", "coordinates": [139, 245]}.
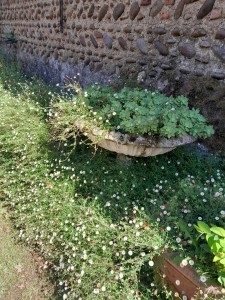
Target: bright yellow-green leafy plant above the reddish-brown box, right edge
{"type": "Point", "coordinates": [215, 237]}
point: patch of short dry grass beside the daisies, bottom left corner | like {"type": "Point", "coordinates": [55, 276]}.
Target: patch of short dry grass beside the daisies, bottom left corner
{"type": "Point", "coordinates": [20, 278]}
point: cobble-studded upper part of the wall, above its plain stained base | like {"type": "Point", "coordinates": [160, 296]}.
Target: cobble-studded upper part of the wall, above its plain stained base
{"type": "Point", "coordinates": [155, 36]}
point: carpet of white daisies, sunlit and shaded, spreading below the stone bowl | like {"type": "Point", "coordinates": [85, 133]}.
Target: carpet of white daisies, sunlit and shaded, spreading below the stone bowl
{"type": "Point", "coordinates": [99, 224]}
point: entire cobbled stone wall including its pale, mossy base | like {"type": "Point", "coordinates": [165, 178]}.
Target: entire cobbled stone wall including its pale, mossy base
{"type": "Point", "coordinates": [177, 46]}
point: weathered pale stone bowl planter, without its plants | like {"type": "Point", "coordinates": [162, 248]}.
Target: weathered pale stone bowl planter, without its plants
{"type": "Point", "coordinates": [138, 146]}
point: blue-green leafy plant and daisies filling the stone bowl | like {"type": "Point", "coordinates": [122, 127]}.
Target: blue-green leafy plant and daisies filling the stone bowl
{"type": "Point", "coordinates": [133, 111]}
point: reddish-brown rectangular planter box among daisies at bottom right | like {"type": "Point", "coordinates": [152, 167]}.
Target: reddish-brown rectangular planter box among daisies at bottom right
{"type": "Point", "coordinates": [185, 281]}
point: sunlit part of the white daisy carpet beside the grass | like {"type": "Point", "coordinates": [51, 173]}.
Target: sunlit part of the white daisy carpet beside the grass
{"type": "Point", "coordinates": [91, 256]}
